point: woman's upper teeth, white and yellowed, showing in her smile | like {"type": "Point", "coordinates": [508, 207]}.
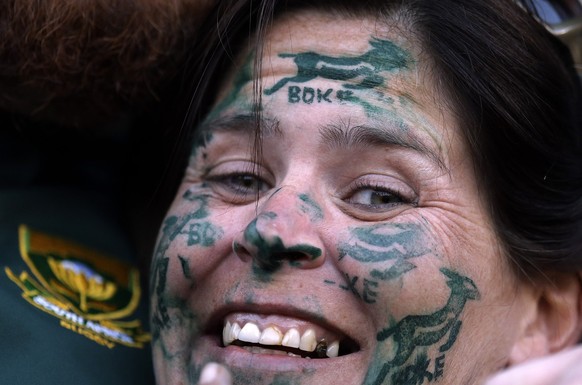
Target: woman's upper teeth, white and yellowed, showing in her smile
{"type": "Point", "coordinates": [273, 336]}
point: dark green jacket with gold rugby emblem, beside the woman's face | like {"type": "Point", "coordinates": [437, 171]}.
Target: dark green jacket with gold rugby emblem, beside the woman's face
{"type": "Point", "coordinates": [72, 302]}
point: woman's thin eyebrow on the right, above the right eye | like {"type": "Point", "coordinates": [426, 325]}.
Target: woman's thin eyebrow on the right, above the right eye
{"type": "Point", "coordinates": [343, 135]}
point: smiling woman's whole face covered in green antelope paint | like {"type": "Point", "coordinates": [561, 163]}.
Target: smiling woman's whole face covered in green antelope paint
{"type": "Point", "coordinates": [352, 246]}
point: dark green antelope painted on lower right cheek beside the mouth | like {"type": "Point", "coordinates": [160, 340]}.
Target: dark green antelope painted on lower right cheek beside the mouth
{"type": "Point", "coordinates": [412, 336]}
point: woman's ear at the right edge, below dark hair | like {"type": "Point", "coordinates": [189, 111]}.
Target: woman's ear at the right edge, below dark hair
{"type": "Point", "coordinates": [553, 320]}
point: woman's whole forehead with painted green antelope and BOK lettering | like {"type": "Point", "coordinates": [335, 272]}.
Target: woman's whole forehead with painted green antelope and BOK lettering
{"type": "Point", "coordinates": [318, 66]}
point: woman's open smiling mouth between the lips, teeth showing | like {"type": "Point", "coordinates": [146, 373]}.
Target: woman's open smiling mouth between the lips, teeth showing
{"type": "Point", "coordinates": [264, 335]}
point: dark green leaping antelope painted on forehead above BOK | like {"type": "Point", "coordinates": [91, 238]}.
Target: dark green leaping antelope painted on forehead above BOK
{"type": "Point", "coordinates": [383, 56]}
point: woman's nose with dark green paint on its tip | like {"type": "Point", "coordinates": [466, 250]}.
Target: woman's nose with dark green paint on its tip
{"type": "Point", "coordinates": [282, 233]}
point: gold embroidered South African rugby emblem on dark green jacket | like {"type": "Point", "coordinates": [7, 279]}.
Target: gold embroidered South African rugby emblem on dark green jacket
{"type": "Point", "coordinates": [89, 292]}
